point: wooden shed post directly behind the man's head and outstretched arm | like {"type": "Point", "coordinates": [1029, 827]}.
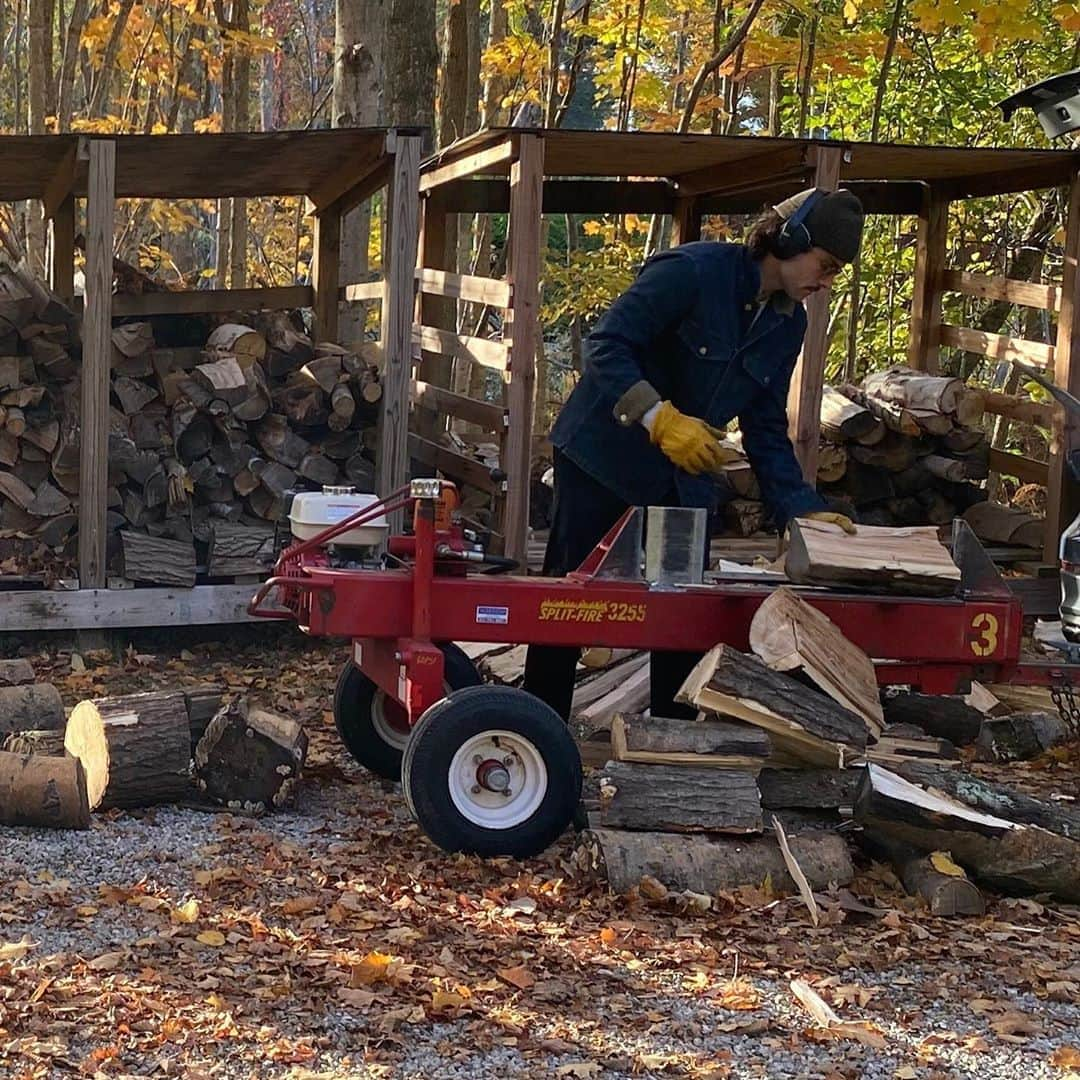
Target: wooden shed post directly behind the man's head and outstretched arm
{"type": "Point", "coordinates": [804, 399]}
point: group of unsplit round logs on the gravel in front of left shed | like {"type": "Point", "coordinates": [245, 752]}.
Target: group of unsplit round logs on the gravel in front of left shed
{"type": "Point", "coordinates": [140, 750]}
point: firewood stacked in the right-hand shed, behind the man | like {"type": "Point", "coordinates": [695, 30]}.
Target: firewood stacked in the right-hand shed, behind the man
{"type": "Point", "coordinates": [903, 449]}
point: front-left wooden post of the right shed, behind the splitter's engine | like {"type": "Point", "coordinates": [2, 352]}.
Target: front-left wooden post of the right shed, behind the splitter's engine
{"type": "Point", "coordinates": [522, 330]}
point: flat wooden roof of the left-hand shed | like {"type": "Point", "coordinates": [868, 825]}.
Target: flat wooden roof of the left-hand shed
{"type": "Point", "coordinates": [323, 164]}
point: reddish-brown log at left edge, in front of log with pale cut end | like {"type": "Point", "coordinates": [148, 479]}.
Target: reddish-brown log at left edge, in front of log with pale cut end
{"type": "Point", "coordinates": [44, 791]}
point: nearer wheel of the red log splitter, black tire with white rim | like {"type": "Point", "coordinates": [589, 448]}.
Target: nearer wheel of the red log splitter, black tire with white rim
{"type": "Point", "coordinates": [546, 802]}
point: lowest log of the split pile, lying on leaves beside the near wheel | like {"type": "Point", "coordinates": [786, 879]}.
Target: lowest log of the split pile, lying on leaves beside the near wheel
{"type": "Point", "coordinates": [707, 866]}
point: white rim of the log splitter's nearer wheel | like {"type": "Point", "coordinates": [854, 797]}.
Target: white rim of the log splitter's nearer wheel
{"type": "Point", "coordinates": [528, 780]}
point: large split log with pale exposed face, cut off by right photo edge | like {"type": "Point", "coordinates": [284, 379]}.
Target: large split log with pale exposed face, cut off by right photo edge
{"type": "Point", "coordinates": [1015, 854]}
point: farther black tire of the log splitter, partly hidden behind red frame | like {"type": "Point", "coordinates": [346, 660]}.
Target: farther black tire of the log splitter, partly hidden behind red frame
{"type": "Point", "coordinates": [374, 739]}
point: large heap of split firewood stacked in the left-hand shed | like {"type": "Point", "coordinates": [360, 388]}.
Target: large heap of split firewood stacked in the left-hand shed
{"type": "Point", "coordinates": [205, 441]}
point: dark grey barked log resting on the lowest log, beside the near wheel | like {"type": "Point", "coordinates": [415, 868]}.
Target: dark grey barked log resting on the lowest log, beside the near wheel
{"type": "Point", "coordinates": [680, 799]}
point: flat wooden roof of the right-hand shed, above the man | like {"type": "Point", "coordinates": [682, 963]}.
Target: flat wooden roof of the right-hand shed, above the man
{"type": "Point", "coordinates": [704, 164]}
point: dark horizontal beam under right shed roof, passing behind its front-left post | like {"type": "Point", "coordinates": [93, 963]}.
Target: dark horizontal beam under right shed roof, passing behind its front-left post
{"type": "Point", "coordinates": [474, 196]}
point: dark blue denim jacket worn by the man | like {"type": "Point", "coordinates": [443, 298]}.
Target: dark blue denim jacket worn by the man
{"type": "Point", "coordinates": [691, 328]}
